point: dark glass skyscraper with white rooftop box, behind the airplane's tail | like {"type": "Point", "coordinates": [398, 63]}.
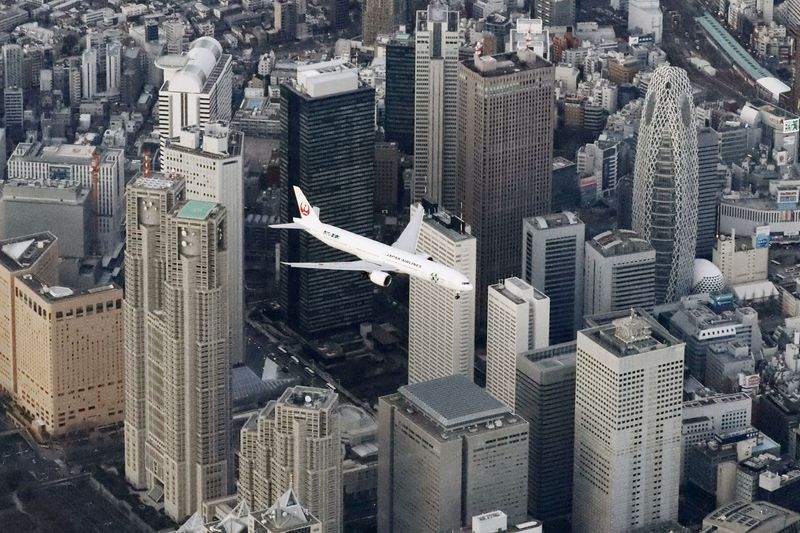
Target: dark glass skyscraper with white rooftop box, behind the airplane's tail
{"type": "Point", "coordinates": [326, 111]}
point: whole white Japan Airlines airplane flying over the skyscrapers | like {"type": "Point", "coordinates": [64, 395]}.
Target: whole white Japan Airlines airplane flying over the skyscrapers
{"type": "Point", "coordinates": [376, 260]}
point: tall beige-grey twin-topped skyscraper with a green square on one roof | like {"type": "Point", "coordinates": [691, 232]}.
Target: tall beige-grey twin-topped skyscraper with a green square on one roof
{"type": "Point", "coordinates": [177, 346]}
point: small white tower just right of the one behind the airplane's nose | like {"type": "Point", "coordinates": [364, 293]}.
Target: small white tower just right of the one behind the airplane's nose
{"type": "Point", "coordinates": [518, 321]}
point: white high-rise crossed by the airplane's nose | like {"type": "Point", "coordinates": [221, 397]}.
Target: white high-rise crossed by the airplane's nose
{"type": "Point", "coordinates": [441, 328]}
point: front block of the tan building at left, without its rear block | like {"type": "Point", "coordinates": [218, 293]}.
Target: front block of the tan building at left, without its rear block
{"type": "Point", "coordinates": [68, 347]}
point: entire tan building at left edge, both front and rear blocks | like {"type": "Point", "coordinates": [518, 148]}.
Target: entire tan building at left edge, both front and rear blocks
{"type": "Point", "coordinates": [61, 354]}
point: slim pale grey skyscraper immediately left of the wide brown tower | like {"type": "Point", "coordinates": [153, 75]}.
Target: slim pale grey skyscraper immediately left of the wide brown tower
{"type": "Point", "coordinates": [436, 105]}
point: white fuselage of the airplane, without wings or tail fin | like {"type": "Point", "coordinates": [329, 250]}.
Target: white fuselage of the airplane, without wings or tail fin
{"type": "Point", "coordinates": [414, 265]}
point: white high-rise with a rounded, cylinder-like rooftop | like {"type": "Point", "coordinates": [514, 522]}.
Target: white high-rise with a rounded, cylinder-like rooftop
{"type": "Point", "coordinates": [197, 88]}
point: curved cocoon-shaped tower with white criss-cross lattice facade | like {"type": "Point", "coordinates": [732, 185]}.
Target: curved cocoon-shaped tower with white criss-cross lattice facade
{"type": "Point", "coordinates": [665, 186]}
